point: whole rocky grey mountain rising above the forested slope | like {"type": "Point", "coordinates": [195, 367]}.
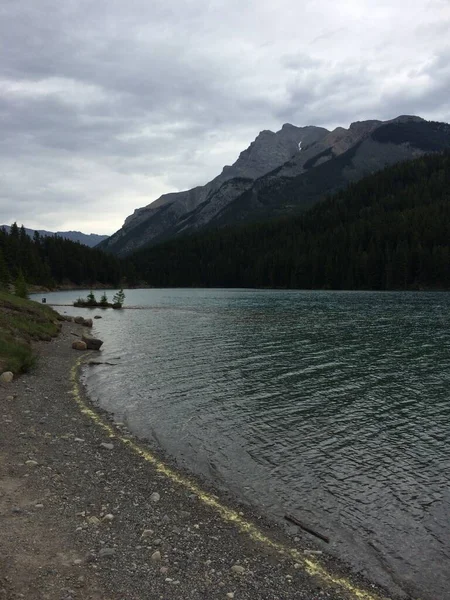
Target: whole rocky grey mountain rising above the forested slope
{"type": "Point", "coordinates": [281, 173]}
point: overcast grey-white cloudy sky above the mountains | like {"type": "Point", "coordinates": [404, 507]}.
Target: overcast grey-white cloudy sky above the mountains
{"type": "Point", "coordinates": [107, 104]}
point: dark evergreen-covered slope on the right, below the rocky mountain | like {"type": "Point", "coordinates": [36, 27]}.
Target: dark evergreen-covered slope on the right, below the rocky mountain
{"type": "Point", "coordinates": [390, 230]}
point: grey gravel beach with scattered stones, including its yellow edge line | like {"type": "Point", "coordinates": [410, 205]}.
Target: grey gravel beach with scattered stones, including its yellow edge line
{"type": "Point", "coordinates": [88, 512]}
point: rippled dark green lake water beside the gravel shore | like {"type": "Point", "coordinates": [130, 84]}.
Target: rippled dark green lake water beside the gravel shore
{"type": "Point", "coordinates": [334, 406]}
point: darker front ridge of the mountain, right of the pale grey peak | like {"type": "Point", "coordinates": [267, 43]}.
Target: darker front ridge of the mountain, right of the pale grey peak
{"type": "Point", "coordinates": [279, 193]}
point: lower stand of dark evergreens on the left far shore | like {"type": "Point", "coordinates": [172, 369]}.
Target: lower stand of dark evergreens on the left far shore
{"type": "Point", "coordinates": [51, 261]}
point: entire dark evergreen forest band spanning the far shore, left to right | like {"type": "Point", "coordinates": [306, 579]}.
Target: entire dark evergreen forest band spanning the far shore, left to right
{"type": "Point", "coordinates": [389, 231]}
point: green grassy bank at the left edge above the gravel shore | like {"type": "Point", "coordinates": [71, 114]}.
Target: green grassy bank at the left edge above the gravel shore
{"type": "Point", "coordinates": [22, 321]}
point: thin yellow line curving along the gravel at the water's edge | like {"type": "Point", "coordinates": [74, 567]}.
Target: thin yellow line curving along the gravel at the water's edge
{"type": "Point", "coordinates": [311, 566]}
